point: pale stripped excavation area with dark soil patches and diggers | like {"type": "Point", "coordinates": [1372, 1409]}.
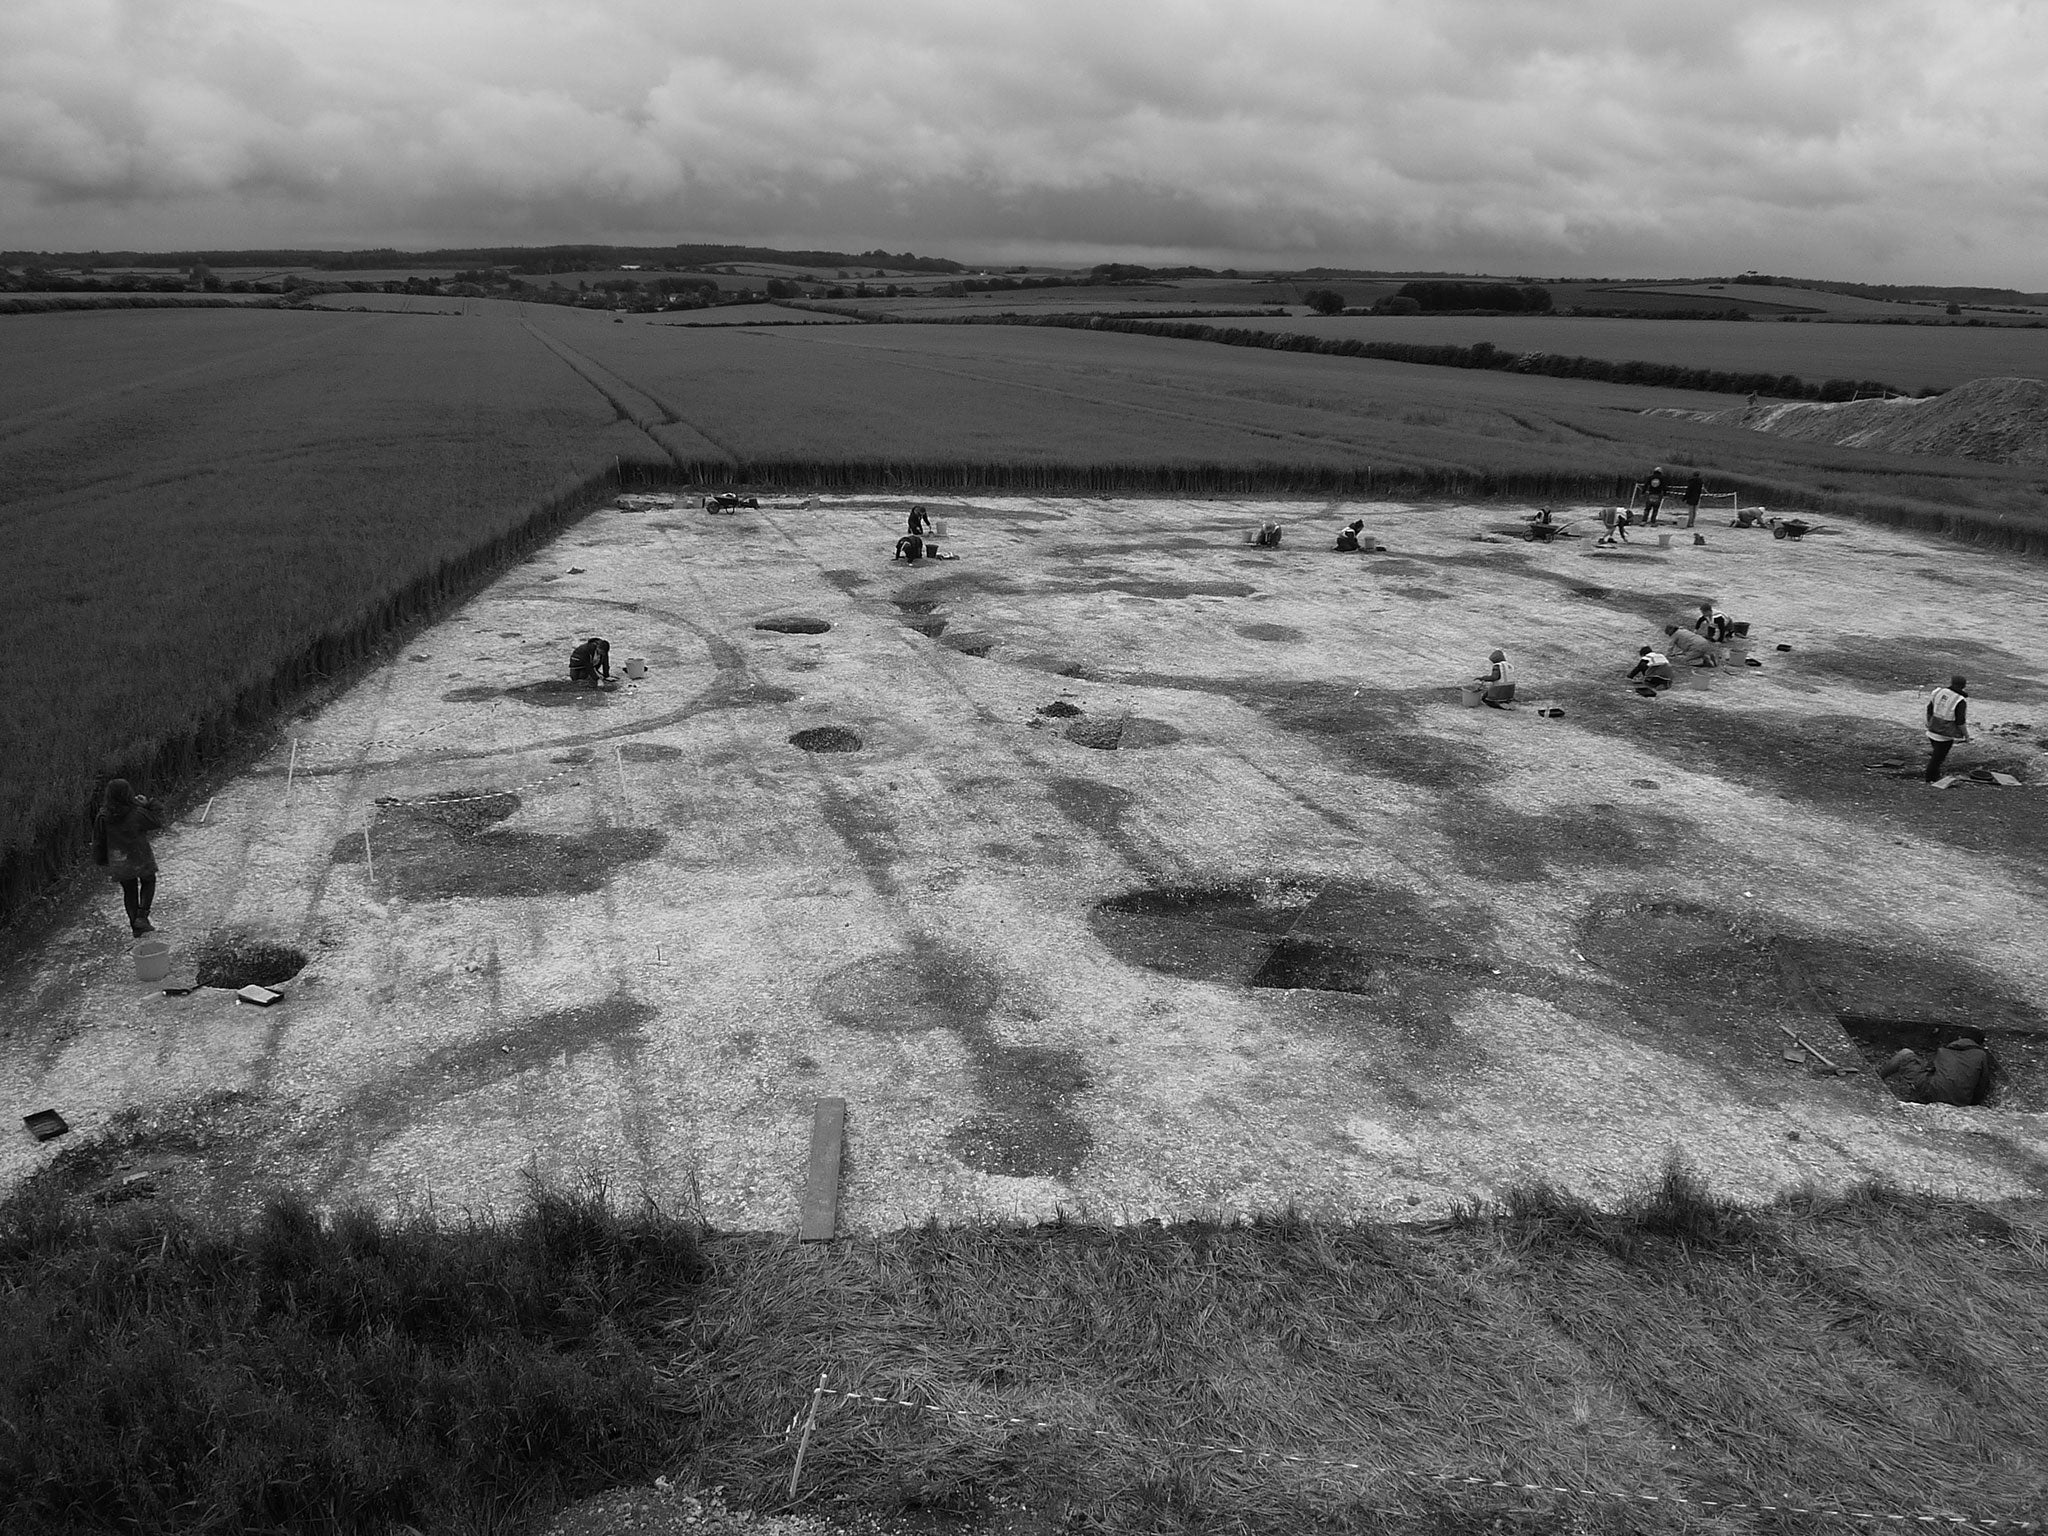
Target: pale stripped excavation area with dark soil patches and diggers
{"type": "Point", "coordinates": [1115, 867]}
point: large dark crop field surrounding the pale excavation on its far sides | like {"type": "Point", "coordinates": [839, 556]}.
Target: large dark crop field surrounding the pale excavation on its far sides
{"type": "Point", "coordinates": [194, 499]}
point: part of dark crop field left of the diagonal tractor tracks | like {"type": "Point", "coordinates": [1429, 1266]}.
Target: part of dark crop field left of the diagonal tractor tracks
{"type": "Point", "coordinates": [194, 499]}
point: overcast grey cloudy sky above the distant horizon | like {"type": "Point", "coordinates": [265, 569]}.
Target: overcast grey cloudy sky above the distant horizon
{"type": "Point", "coordinates": [1881, 140]}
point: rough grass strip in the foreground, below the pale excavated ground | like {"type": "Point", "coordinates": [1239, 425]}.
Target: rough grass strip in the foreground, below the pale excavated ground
{"type": "Point", "coordinates": [1875, 1353]}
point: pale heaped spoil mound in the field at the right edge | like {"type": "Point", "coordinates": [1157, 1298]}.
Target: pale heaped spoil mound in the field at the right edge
{"type": "Point", "coordinates": [1996, 421]}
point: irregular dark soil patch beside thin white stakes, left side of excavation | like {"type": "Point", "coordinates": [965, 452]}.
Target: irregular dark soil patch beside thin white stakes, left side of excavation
{"type": "Point", "coordinates": [450, 849]}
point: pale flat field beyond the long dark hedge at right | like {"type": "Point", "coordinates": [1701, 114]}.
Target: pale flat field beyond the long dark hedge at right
{"type": "Point", "coordinates": [1910, 357]}
